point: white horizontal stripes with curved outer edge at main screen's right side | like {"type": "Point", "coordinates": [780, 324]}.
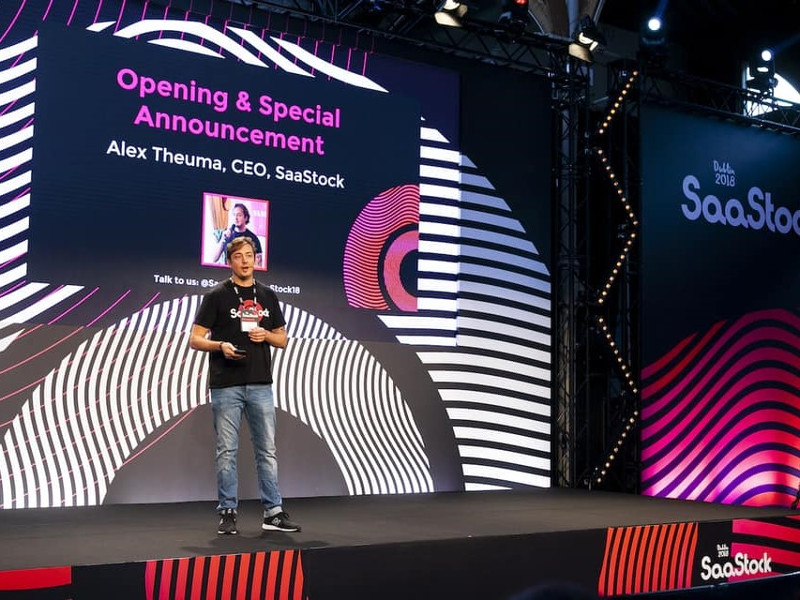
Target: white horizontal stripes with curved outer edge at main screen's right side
{"type": "Point", "coordinates": [491, 394]}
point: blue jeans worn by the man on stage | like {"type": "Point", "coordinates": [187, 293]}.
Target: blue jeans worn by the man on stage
{"type": "Point", "coordinates": [257, 404]}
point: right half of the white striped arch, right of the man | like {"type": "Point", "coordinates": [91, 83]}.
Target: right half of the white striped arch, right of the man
{"type": "Point", "coordinates": [348, 399]}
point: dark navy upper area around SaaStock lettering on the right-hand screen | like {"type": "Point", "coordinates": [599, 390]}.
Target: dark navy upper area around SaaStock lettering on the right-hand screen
{"type": "Point", "coordinates": [696, 273]}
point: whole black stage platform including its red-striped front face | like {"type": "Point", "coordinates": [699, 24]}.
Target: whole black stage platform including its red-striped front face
{"type": "Point", "coordinates": [449, 545]}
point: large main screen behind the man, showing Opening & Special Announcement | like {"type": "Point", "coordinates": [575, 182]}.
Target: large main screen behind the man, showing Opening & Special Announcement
{"type": "Point", "coordinates": [399, 216]}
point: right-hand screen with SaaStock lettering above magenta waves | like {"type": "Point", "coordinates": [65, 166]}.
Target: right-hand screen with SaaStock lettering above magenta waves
{"type": "Point", "coordinates": [721, 321]}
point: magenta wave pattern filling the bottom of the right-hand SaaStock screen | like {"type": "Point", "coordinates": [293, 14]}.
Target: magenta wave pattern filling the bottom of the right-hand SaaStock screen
{"type": "Point", "coordinates": [721, 414]}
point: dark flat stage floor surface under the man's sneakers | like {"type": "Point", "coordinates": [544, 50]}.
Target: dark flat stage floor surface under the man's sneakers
{"type": "Point", "coordinates": [37, 538]}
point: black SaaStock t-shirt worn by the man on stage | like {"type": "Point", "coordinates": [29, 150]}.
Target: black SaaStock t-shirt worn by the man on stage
{"type": "Point", "coordinates": [220, 312]}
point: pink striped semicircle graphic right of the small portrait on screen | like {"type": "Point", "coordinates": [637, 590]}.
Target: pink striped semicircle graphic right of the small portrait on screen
{"type": "Point", "coordinates": [383, 234]}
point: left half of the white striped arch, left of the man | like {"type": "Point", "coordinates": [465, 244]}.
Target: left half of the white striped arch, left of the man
{"type": "Point", "coordinates": [88, 430]}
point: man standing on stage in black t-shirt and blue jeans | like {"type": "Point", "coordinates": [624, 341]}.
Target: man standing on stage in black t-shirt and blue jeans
{"type": "Point", "coordinates": [237, 324]}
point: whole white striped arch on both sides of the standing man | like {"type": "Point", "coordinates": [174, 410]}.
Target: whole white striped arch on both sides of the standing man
{"type": "Point", "coordinates": [126, 381]}
